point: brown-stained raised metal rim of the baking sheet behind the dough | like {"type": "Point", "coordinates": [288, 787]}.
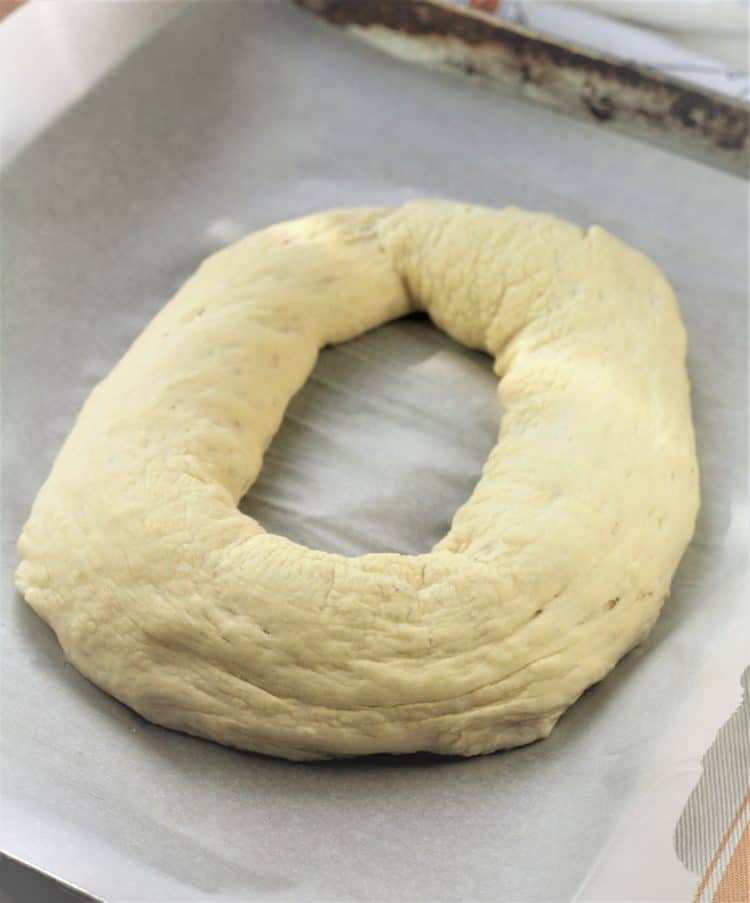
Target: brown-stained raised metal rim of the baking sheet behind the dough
{"type": "Point", "coordinates": [616, 93]}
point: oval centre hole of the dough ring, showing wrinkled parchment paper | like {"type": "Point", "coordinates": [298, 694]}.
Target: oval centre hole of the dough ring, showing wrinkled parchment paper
{"type": "Point", "coordinates": [382, 444]}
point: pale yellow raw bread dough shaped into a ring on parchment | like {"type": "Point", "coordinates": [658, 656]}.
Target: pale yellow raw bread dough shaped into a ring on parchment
{"type": "Point", "coordinates": [170, 599]}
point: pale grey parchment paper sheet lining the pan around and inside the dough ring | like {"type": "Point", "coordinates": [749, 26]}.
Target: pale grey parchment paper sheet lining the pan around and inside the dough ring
{"type": "Point", "coordinates": [232, 117]}
